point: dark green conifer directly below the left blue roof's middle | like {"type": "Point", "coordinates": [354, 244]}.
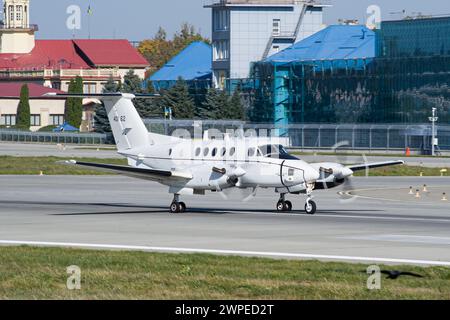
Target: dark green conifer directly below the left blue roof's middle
{"type": "Point", "coordinates": [179, 100]}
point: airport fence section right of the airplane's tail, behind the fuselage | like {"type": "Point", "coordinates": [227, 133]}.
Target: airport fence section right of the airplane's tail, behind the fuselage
{"type": "Point", "coordinates": [372, 137]}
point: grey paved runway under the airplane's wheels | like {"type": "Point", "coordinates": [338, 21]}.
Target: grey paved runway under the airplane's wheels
{"type": "Point", "coordinates": [381, 222]}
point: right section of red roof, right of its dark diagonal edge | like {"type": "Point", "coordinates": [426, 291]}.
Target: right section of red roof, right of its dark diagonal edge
{"type": "Point", "coordinates": [111, 53]}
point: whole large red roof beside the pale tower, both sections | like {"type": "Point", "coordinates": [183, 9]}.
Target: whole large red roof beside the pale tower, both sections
{"type": "Point", "coordinates": [75, 54]}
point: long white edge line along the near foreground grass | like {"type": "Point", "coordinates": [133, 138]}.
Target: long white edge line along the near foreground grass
{"type": "Point", "coordinates": [229, 252]}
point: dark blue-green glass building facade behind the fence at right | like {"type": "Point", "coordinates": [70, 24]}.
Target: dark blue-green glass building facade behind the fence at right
{"type": "Point", "coordinates": [409, 76]}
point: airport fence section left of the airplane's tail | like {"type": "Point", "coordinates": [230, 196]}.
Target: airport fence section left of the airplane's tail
{"type": "Point", "coordinates": [54, 137]}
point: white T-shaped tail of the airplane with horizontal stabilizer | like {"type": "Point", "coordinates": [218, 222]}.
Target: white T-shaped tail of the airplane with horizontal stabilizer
{"type": "Point", "coordinates": [127, 126]}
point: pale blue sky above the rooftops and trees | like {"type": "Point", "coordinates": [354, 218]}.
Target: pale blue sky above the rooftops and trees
{"type": "Point", "coordinates": [139, 19]}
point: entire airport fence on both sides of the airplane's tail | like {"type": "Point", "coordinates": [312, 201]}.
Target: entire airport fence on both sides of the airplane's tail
{"type": "Point", "coordinates": [300, 136]}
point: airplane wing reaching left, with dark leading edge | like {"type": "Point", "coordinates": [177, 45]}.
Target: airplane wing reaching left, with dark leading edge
{"type": "Point", "coordinates": [140, 173]}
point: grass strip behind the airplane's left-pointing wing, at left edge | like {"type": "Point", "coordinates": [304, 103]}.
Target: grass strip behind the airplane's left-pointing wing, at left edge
{"type": "Point", "coordinates": [33, 165]}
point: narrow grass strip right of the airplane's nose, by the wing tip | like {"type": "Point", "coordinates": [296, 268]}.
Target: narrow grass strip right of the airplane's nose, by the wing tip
{"type": "Point", "coordinates": [403, 171]}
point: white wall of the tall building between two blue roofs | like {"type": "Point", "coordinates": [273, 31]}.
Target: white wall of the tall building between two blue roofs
{"type": "Point", "coordinates": [250, 31]}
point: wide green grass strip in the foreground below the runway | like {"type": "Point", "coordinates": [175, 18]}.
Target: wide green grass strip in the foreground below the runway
{"type": "Point", "coordinates": [40, 273]}
